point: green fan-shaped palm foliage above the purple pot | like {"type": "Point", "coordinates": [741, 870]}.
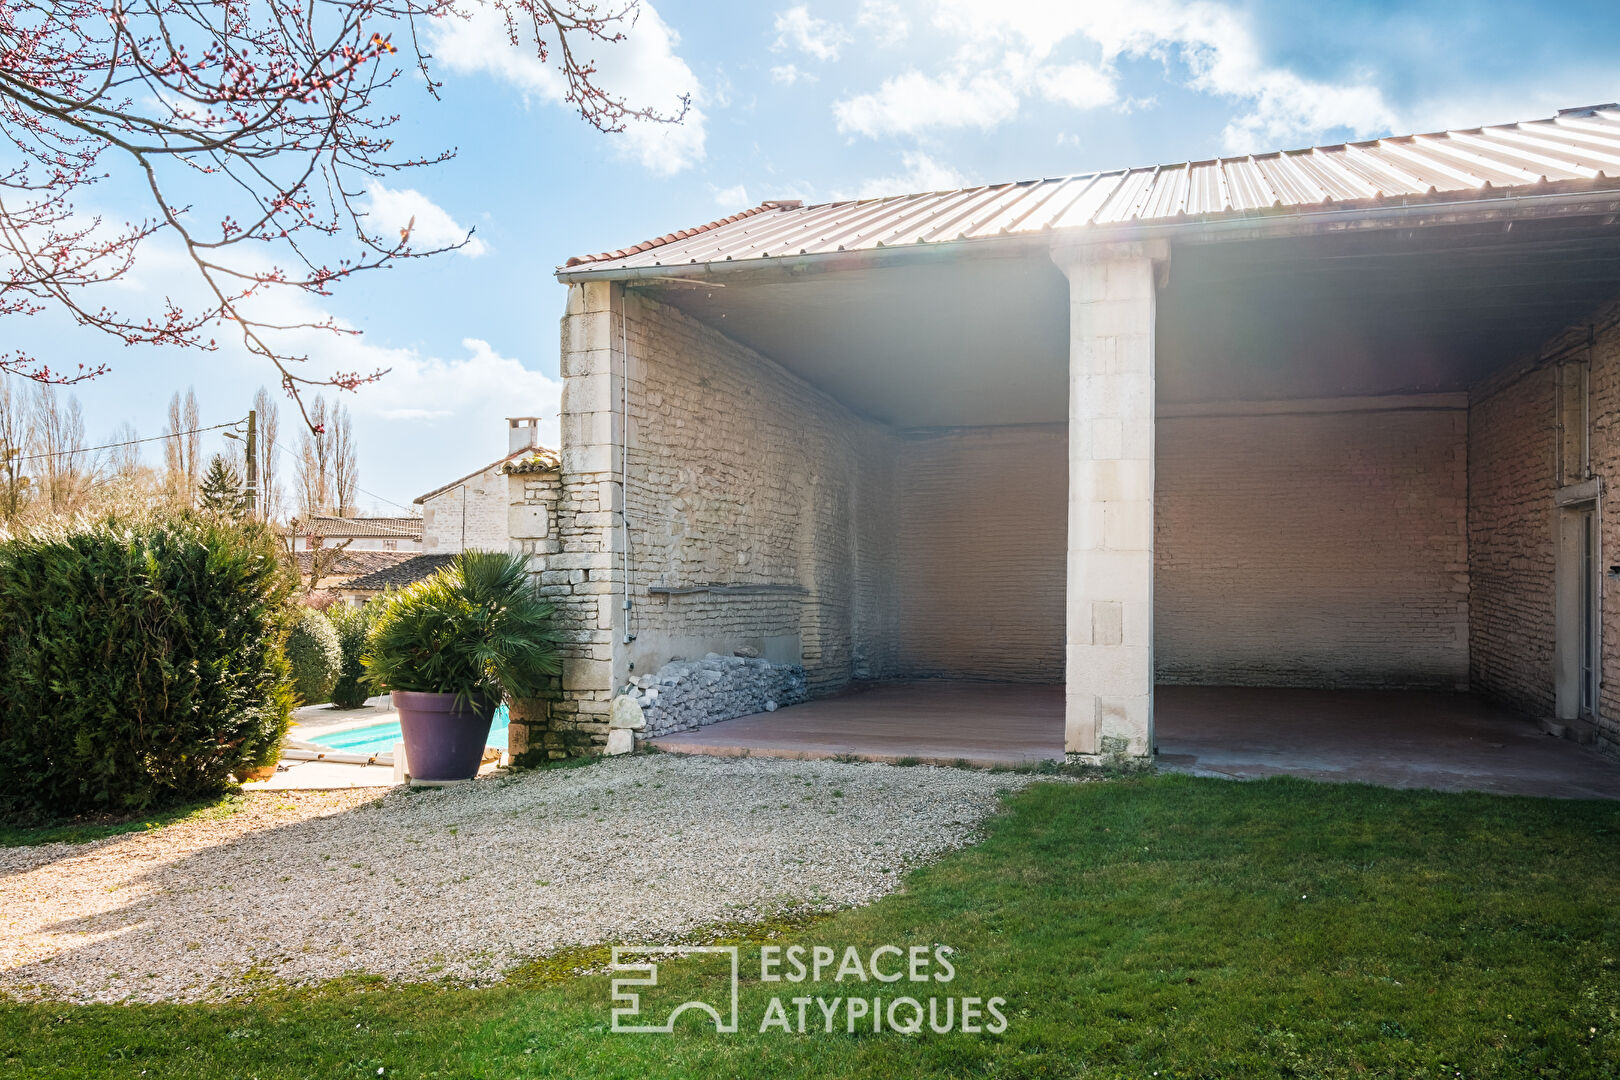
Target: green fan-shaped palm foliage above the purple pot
{"type": "Point", "coordinates": [477, 629]}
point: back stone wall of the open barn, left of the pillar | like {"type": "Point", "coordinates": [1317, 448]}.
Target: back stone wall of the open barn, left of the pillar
{"type": "Point", "coordinates": [981, 555]}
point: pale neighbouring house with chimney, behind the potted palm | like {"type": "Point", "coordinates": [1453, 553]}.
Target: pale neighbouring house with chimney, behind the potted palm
{"type": "Point", "coordinates": [506, 506]}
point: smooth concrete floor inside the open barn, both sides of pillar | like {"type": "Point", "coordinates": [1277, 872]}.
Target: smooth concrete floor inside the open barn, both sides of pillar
{"type": "Point", "coordinates": [1397, 739]}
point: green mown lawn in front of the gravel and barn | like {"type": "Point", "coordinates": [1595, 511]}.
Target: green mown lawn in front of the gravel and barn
{"type": "Point", "coordinates": [1162, 927]}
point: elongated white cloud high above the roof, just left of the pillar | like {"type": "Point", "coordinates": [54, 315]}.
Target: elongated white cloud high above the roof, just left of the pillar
{"type": "Point", "coordinates": [913, 103]}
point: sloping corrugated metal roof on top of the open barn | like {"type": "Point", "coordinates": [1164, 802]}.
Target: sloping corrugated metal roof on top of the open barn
{"type": "Point", "coordinates": [1575, 145]}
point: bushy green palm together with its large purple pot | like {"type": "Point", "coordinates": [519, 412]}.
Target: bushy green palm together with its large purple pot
{"type": "Point", "coordinates": [448, 650]}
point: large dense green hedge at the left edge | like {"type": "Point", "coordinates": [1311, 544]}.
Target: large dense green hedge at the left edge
{"type": "Point", "coordinates": [140, 665]}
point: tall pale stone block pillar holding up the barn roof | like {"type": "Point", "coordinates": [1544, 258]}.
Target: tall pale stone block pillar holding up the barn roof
{"type": "Point", "coordinates": [1109, 700]}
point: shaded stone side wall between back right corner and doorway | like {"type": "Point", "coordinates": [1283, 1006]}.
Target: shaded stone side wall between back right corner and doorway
{"type": "Point", "coordinates": [1512, 548]}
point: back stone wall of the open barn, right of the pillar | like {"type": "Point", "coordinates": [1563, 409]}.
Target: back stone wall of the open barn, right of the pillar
{"type": "Point", "coordinates": [1313, 548]}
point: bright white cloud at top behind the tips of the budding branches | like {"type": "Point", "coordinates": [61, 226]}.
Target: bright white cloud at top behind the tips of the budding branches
{"type": "Point", "coordinates": [644, 69]}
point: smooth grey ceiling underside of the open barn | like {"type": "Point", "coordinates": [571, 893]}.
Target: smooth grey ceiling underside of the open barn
{"type": "Point", "coordinates": [957, 341]}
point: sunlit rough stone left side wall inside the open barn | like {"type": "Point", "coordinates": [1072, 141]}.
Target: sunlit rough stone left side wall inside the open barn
{"type": "Point", "coordinates": [743, 477]}
